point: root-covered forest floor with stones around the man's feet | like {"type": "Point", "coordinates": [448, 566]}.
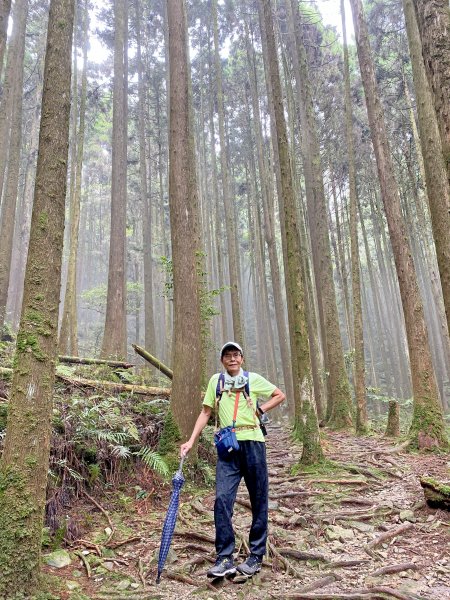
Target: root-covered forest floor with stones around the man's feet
{"type": "Point", "coordinates": [356, 527]}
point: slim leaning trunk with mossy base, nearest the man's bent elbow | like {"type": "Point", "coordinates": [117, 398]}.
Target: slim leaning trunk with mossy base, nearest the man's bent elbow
{"type": "Point", "coordinates": [306, 416]}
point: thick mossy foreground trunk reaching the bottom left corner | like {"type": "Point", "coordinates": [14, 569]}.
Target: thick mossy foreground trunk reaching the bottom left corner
{"type": "Point", "coordinates": [24, 464]}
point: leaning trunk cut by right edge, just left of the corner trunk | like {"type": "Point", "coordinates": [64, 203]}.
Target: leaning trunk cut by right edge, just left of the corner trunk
{"type": "Point", "coordinates": [436, 177]}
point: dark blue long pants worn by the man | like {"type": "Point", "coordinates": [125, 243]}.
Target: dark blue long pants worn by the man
{"type": "Point", "coordinates": [250, 463]}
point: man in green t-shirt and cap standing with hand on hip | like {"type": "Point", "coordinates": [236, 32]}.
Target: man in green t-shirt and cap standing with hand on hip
{"type": "Point", "coordinates": [248, 462]}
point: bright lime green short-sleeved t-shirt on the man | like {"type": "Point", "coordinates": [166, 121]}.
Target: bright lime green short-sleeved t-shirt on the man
{"type": "Point", "coordinates": [246, 414]}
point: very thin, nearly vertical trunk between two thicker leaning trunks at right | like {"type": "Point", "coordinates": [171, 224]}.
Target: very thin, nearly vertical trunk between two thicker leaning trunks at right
{"type": "Point", "coordinates": [358, 336]}
